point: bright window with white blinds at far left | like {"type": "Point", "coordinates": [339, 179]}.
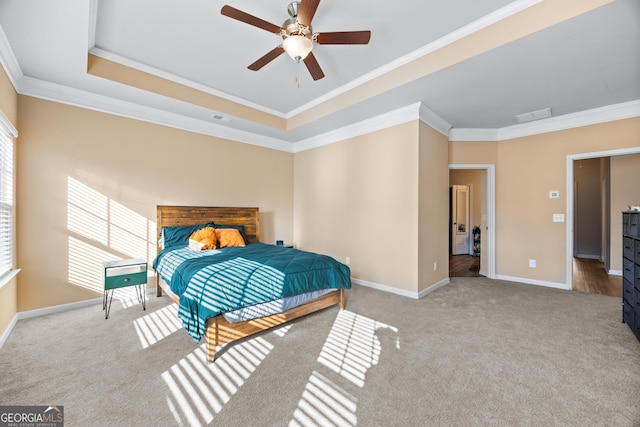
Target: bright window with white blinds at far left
{"type": "Point", "coordinates": [7, 133]}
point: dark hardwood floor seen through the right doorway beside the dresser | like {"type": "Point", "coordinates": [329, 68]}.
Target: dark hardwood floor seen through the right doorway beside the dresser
{"type": "Point", "coordinates": [589, 275]}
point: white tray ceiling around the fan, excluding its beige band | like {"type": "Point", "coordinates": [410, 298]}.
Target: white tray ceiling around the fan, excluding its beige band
{"type": "Point", "coordinates": [584, 63]}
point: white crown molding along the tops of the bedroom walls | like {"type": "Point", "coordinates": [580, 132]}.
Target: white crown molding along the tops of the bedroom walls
{"type": "Point", "coordinates": [58, 93]}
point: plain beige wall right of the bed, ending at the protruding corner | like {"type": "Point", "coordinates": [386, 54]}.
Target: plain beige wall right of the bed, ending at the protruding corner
{"type": "Point", "coordinates": [359, 199]}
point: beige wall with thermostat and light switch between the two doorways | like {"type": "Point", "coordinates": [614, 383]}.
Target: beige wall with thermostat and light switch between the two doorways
{"type": "Point", "coordinates": [526, 170]}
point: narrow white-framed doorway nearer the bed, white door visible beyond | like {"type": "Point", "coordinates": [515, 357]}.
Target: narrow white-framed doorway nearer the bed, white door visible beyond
{"type": "Point", "coordinates": [480, 180]}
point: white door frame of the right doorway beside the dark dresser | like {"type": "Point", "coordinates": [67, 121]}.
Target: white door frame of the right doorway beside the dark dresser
{"type": "Point", "coordinates": [570, 201]}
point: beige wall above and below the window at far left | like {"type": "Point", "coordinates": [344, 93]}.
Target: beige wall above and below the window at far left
{"type": "Point", "coordinates": [8, 293]}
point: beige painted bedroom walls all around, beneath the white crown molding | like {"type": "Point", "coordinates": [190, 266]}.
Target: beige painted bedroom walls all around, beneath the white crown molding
{"type": "Point", "coordinates": [380, 199]}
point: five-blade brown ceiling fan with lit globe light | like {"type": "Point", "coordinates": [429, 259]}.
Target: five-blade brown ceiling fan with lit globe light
{"type": "Point", "coordinates": [298, 37]}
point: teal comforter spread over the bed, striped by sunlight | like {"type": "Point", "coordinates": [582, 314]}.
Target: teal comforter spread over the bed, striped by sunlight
{"type": "Point", "coordinates": [216, 281]}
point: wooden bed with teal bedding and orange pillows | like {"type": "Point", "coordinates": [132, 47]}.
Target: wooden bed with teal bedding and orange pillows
{"type": "Point", "coordinates": [185, 283]}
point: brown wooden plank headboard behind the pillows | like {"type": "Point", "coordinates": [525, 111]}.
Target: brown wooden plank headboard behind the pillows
{"type": "Point", "coordinates": [191, 215]}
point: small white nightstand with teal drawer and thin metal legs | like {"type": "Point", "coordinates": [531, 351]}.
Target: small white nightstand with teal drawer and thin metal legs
{"type": "Point", "coordinates": [120, 274]}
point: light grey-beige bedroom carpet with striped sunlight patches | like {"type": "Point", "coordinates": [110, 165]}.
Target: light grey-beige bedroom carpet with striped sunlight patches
{"type": "Point", "coordinates": [474, 352]}
